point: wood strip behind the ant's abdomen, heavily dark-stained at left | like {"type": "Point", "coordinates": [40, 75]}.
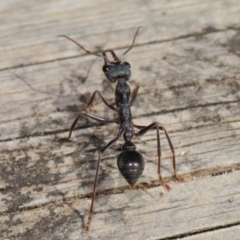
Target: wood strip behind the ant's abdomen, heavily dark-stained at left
{"type": "Point", "coordinates": [38, 171]}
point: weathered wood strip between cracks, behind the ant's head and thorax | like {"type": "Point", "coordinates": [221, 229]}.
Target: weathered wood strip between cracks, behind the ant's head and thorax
{"type": "Point", "coordinates": [179, 76]}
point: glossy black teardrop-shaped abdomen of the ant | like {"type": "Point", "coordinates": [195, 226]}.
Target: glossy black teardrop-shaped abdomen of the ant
{"type": "Point", "coordinates": [131, 165]}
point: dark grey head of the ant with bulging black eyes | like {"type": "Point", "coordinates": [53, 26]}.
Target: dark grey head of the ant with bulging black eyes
{"type": "Point", "coordinates": [116, 70]}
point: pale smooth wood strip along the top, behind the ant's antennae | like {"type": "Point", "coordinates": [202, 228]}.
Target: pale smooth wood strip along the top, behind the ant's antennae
{"type": "Point", "coordinates": [29, 29]}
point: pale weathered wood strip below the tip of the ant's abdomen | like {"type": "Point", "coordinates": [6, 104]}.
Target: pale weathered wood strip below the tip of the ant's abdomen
{"type": "Point", "coordinates": [200, 205]}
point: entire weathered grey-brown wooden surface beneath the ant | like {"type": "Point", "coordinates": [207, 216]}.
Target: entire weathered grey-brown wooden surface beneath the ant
{"type": "Point", "coordinates": [187, 64]}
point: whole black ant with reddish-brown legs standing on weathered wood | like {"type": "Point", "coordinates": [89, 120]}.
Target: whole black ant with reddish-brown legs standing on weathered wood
{"type": "Point", "coordinates": [130, 162]}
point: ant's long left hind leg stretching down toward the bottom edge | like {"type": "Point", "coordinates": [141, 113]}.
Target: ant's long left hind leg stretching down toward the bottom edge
{"type": "Point", "coordinates": [96, 177]}
